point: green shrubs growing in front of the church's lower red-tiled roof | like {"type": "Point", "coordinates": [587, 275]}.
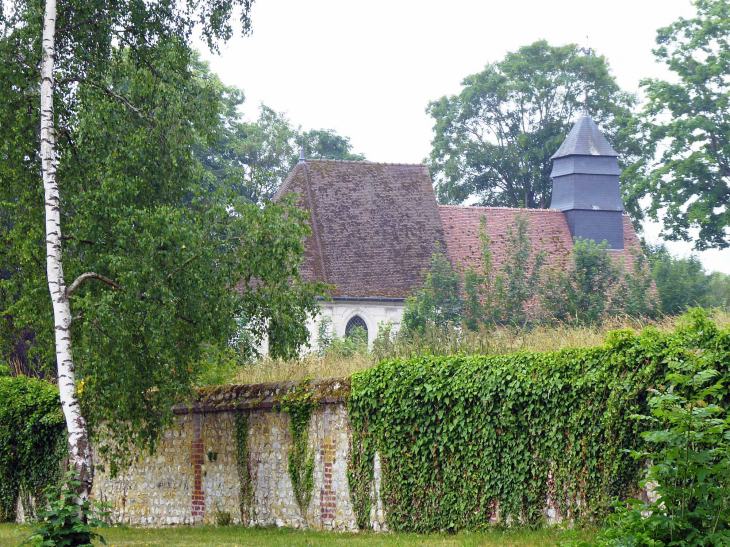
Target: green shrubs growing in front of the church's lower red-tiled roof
{"type": "Point", "coordinates": [522, 291]}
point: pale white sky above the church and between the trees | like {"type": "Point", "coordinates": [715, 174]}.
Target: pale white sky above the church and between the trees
{"type": "Point", "coordinates": [368, 69]}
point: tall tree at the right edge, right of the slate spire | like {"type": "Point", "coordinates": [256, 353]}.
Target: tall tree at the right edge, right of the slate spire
{"type": "Point", "coordinates": [688, 122]}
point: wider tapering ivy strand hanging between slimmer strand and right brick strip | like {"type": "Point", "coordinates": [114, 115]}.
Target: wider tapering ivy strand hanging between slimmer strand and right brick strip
{"type": "Point", "coordinates": [299, 405]}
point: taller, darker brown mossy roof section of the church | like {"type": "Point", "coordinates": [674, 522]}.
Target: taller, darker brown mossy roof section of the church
{"type": "Point", "coordinates": [374, 225]}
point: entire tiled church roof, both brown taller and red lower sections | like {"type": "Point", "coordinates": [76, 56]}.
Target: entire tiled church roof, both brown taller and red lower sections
{"type": "Point", "coordinates": [374, 227]}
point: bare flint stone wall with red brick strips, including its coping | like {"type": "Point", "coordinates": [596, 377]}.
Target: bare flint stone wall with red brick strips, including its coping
{"type": "Point", "coordinates": [192, 477]}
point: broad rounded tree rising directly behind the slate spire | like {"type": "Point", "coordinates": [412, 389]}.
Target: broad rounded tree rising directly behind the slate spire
{"type": "Point", "coordinates": [493, 141]}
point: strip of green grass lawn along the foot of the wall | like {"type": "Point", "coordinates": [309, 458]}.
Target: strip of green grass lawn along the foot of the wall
{"type": "Point", "coordinates": [236, 536]}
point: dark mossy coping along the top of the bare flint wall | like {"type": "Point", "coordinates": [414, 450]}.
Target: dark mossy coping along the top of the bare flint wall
{"type": "Point", "coordinates": [267, 395]}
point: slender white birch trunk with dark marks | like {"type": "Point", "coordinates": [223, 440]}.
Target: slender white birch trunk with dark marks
{"type": "Point", "coordinates": [78, 437]}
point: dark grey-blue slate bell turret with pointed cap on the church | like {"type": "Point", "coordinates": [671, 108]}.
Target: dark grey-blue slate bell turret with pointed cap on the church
{"type": "Point", "coordinates": [586, 184]}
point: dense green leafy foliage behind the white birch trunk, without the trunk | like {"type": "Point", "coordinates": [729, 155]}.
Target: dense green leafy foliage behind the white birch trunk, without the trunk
{"type": "Point", "coordinates": [143, 212]}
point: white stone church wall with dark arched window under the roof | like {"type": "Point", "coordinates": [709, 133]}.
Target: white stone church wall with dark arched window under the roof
{"type": "Point", "coordinates": [340, 312]}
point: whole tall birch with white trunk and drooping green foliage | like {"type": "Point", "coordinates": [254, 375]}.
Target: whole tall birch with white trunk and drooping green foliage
{"type": "Point", "coordinates": [153, 257]}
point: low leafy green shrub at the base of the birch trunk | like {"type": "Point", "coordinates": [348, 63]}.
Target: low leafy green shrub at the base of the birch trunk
{"type": "Point", "coordinates": [65, 521]}
